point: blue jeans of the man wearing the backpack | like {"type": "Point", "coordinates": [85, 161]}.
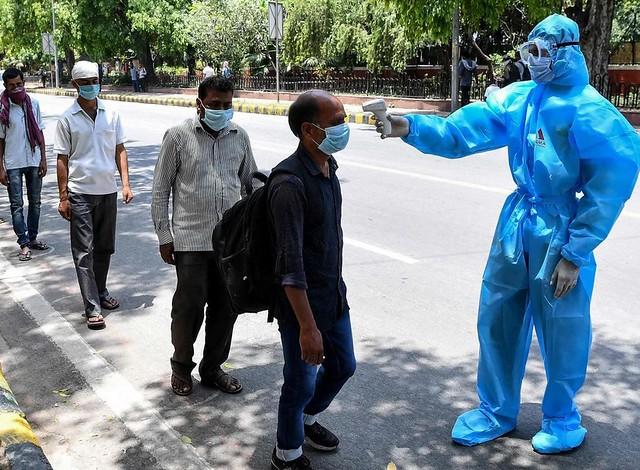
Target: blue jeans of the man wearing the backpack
{"type": "Point", "coordinates": [310, 389]}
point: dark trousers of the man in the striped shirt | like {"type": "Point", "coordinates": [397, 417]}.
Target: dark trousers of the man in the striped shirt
{"type": "Point", "coordinates": [199, 284]}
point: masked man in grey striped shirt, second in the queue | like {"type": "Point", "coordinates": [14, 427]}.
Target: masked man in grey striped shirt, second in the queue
{"type": "Point", "coordinates": [206, 163]}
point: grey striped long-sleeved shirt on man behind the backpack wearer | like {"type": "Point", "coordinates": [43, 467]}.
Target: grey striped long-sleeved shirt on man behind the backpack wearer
{"type": "Point", "coordinates": [205, 175]}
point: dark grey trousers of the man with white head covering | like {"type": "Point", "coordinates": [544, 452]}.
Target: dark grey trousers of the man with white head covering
{"type": "Point", "coordinates": [93, 237]}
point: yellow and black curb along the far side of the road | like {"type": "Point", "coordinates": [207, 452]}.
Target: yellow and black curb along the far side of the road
{"type": "Point", "coordinates": [269, 109]}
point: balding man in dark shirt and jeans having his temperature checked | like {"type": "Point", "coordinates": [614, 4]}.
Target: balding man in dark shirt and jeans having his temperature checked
{"type": "Point", "coordinates": [311, 307]}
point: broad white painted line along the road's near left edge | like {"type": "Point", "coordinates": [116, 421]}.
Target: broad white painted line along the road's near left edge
{"type": "Point", "coordinates": [124, 400]}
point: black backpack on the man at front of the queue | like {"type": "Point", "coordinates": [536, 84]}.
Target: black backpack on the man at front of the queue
{"type": "Point", "coordinates": [243, 250]}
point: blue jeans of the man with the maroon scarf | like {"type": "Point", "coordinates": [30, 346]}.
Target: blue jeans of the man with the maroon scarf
{"type": "Point", "coordinates": [28, 232]}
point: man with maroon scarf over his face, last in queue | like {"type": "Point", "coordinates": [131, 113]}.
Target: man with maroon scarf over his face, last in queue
{"type": "Point", "coordinates": [22, 156]}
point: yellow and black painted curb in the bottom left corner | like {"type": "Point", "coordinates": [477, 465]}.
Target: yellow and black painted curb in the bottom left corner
{"type": "Point", "coordinates": [16, 436]}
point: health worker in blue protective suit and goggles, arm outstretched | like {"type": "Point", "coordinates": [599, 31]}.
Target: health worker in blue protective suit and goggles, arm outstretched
{"type": "Point", "coordinates": [563, 138]}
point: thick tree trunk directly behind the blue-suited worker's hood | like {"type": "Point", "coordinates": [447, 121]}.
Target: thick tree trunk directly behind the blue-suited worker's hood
{"type": "Point", "coordinates": [595, 19]}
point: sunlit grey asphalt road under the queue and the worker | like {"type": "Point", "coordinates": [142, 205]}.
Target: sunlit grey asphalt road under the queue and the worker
{"type": "Point", "coordinates": [418, 230]}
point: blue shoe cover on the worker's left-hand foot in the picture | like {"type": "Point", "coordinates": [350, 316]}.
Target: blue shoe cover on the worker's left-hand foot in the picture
{"type": "Point", "coordinates": [477, 427]}
